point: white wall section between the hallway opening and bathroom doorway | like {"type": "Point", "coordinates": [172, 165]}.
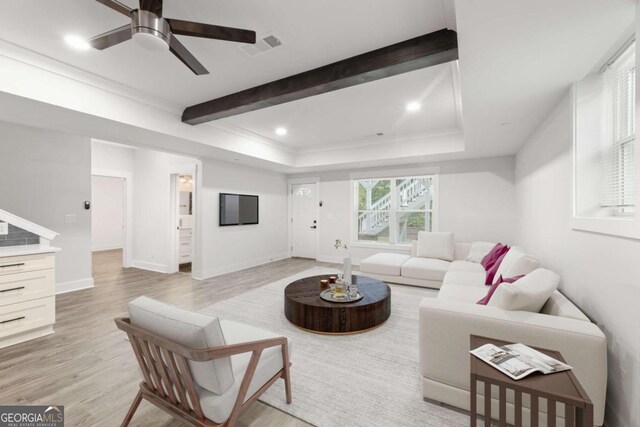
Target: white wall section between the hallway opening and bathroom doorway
{"type": "Point", "coordinates": [151, 204]}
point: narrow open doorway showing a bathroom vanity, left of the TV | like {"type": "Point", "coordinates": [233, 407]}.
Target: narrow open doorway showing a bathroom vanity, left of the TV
{"type": "Point", "coordinates": [183, 190]}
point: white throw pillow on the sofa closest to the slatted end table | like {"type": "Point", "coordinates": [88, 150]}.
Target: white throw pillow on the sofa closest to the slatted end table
{"type": "Point", "coordinates": [529, 293]}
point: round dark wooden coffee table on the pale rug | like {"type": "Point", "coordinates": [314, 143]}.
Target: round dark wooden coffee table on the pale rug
{"type": "Point", "coordinates": [304, 308]}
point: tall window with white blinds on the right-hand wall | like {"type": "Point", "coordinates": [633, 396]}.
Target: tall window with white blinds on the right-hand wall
{"type": "Point", "coordinates": [618, 162]}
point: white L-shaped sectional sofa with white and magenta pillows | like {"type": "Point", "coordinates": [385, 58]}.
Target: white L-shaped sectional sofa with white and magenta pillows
{"type": "Point", "coordinates": [447, 321]}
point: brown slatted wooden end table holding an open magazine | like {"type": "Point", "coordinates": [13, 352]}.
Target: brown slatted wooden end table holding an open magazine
{"type": "Point", "coordinates": [560, 387]}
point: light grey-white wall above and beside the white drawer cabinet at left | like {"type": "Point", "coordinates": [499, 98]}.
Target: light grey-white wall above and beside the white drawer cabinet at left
{"type": "Point", "coordinates": [46, 175]}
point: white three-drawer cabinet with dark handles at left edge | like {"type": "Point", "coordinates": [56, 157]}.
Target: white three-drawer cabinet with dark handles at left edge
{"type": "Point", "coordinates": [27, 297]}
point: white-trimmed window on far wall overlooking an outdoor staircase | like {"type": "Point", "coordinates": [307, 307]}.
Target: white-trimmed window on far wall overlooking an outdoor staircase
{"type": "Point", "coordinates": [393, 210]}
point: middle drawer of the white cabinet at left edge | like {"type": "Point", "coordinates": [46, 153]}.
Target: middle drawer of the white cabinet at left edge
{"type": "Point", "coordinates": [26, 286]}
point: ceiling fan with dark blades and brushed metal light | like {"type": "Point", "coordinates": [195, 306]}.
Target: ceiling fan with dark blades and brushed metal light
{"type": "Point", "coordinates": [151, 30]}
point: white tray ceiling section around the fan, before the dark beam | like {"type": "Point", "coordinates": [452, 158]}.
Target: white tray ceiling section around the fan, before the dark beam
{"type": "Point", "coordinates": [314, 33]}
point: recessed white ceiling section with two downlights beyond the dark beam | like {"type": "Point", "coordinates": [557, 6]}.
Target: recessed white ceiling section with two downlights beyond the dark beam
{"type": "Point", "coordinates": [354, 116]}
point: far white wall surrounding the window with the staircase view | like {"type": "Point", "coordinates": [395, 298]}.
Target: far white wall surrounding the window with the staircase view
{"type": "Point", "coordinates": [476, 202]}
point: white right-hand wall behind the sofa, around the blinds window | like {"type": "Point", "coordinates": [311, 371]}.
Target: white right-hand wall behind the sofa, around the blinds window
{"type": "Point", "coordinates": [600, 273]}
